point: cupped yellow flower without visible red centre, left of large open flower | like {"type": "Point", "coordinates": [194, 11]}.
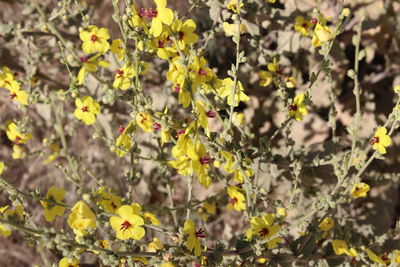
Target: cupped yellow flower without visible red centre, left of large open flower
{"type": "Point", "coordinates": [81, 218]}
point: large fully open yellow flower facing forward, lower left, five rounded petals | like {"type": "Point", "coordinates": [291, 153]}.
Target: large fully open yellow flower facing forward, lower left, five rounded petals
{"type": "Point", "coordinates": [128, 222]}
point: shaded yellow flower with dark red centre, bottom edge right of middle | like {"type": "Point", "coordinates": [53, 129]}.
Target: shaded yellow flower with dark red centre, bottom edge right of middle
{"type": "Point", "coordinates": [265, 228]}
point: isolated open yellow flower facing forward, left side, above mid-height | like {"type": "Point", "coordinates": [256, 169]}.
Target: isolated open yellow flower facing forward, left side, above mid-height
{"type": "Point", "coordinates": [86, 109]}
